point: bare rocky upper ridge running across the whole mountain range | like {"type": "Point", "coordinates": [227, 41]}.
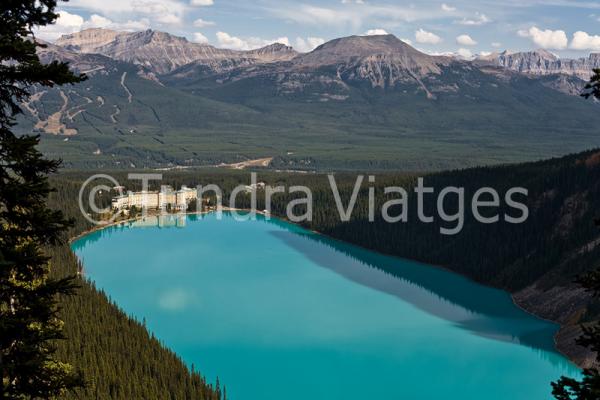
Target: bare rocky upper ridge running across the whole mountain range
{"type": "Point", "coordinates": [380, 61]}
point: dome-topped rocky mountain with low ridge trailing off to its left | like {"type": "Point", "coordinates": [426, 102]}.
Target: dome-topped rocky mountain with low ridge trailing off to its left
{"type": "Point", "coordinates": [331, 70]}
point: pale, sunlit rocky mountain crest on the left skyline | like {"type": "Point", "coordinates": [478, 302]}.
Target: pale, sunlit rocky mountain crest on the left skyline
{"type": "Point", "coordinates": [161, 52]}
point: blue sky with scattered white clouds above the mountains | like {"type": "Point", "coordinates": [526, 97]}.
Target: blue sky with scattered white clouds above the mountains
{"type": "Point", "coordinates": [570, 28]}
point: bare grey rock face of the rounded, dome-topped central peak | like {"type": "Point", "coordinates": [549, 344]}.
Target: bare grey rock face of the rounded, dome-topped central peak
{"type": "Point", "coordinates": [381, 61]}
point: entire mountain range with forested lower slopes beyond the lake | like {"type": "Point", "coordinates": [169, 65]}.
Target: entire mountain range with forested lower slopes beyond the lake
{"type": "Point", "coordinates": [154, 99]}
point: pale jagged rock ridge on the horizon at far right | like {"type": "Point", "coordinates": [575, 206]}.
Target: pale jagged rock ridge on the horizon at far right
{"type": "Point", "coordinates": [542, 62]}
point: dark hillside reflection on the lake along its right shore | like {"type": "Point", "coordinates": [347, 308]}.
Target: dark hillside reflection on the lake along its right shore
{"type": "Point", "coordinates": [476, 308]}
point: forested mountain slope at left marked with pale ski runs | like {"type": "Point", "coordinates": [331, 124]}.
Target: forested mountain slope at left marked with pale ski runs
{"type": "Point", "coordinates": [122, 117]}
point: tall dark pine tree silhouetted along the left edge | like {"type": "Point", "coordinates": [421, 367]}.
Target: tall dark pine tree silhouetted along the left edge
{"type": "Point", "coordinates": [29, 322]}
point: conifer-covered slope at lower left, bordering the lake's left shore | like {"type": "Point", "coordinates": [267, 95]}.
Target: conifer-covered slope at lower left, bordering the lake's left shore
{"type": "Point", "coordinates": [116, 355]}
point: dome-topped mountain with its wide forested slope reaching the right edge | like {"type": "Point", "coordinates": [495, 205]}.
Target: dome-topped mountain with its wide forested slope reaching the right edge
{"type": "Point", "coordinates": [435, 106]}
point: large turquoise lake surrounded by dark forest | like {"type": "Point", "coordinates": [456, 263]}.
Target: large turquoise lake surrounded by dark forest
{"type": "Point", "coordinates": [278, 312]}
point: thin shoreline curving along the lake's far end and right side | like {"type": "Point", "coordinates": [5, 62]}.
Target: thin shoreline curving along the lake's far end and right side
{"type": "Point", "coordinates": [263, 213]}
